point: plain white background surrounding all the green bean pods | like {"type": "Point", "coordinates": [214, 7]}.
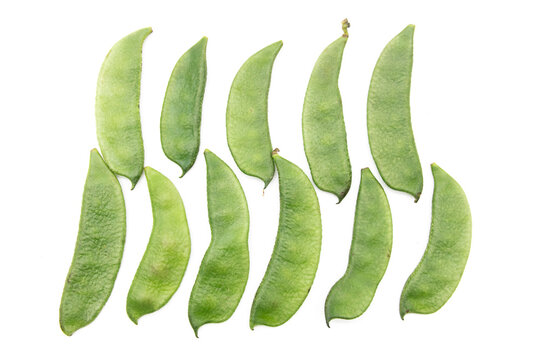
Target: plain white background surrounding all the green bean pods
{"type": "Point", "coordinates": [475, 112]}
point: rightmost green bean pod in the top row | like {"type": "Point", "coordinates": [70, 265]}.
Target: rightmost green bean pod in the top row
{"type": "Point", "coordinates": [389, 117]}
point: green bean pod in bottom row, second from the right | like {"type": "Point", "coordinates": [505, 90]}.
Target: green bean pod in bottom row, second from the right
{"type": "Point", "coordinates": [369, 255]}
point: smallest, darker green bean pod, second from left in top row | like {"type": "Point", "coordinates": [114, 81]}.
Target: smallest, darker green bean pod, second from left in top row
{"type": "Point", "coordinates": [182, 107]}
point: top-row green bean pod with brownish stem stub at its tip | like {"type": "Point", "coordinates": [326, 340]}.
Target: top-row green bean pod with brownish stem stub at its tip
{"type": "Point", "coordinates": [323, 127]}
